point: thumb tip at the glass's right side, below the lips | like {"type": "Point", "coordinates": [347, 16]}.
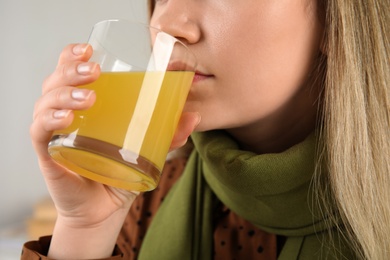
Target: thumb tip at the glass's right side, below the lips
{"type": "Point", "coordinates": [188, 122]}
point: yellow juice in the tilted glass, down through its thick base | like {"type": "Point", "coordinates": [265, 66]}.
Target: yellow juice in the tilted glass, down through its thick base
{"type": "Point", "coordinates": [122, 141]}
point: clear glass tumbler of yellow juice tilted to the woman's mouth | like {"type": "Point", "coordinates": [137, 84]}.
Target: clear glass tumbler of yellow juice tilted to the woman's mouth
{"type": "Point", "coordinates": [123, 140]}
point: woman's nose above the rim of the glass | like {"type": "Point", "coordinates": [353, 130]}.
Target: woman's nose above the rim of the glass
{"type": "Point", "coordinates": [177, 18]}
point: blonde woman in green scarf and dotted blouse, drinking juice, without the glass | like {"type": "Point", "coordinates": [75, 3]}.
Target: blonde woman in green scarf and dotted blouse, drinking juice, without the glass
{"type": "Point", "coordinates": [290, 113]}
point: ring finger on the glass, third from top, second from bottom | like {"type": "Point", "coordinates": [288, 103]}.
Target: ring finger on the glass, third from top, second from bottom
{"type": "Point", "coordinates": [65, 98]}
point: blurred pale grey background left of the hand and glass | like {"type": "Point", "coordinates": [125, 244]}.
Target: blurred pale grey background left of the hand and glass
{"type": "Point", "coordinates": [33, 33]}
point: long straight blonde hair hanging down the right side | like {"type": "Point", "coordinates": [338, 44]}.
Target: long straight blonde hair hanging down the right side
{"type": "Point", "coordinates": [356, 126]}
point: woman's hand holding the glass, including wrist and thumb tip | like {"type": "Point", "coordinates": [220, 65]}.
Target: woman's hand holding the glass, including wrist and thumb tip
{"type": "Point", "coordinates": [90, 214]}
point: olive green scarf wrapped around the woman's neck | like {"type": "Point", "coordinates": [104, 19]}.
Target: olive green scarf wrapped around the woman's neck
{"type": "Point", "coordinates": [272, 191]}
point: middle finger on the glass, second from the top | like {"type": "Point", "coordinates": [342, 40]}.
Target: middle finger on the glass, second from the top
{"type": "Point", "coordinates": [71, 74]}
